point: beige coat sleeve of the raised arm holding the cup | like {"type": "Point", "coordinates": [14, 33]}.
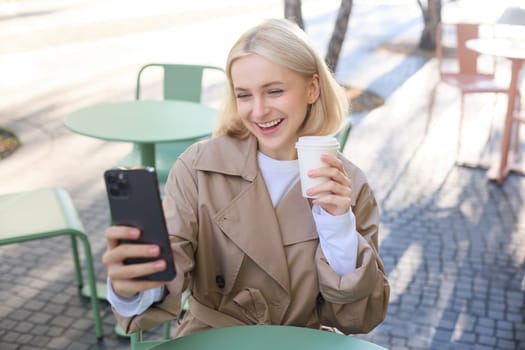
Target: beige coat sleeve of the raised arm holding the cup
{"type": "Point", "coordinates": [358, 301]}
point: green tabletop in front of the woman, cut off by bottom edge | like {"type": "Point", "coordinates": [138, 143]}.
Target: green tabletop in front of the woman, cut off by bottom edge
{"type": "Point", "coordinates": [266, 338]}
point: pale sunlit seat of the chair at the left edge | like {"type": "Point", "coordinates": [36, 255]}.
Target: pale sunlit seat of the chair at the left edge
{"type": "Point", "coordinates": [36, 213]}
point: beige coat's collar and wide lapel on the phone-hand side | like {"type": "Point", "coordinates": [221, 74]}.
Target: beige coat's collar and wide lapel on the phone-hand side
{"type": "Point", "coordinates": [255, 232]}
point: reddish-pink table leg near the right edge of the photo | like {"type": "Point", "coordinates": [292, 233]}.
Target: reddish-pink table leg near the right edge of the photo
{"type": "Point", "coordinates": [503, 166]}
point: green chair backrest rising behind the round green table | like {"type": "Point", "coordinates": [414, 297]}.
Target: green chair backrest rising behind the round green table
{"type": "Point", "coordinates": [180, 81]}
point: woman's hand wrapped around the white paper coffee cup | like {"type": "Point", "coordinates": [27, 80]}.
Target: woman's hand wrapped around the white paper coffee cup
{"type": "Point", "coordinates": [335, 194]}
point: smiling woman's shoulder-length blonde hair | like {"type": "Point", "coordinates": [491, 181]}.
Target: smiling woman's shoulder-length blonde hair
{"type": "Point", "coordinates": [283, 42]}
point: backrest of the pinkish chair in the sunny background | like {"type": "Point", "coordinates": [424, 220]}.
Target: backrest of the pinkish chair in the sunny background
{"type": "Point", "coordinates": [467, 60]}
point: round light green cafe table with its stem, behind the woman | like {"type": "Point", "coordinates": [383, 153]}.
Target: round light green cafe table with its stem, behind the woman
{"type": "Point", "coordinates": [144, 123]}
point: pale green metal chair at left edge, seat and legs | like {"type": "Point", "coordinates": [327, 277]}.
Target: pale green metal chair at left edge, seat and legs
{"type": "Point", "coordinates": [46, 213]}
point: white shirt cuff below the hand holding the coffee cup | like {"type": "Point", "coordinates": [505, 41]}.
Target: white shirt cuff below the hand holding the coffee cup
{"type": "Point", "coordinates": [338, 239]}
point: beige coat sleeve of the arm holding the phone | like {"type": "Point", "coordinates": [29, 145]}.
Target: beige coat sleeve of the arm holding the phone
{"type": "Point", "coordinates": [180, 209]}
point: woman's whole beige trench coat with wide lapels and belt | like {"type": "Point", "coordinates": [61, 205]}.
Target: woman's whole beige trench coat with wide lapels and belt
{"type": "Point", "coordinates": [247, 262]}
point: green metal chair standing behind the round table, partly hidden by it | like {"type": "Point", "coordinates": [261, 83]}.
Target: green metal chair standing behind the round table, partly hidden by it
{"type": "Point", "coordinates": [180, 82]}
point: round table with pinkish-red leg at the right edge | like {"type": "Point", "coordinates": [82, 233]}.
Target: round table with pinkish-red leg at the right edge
{"type": "Point", "coordinates": [514, 50]}
